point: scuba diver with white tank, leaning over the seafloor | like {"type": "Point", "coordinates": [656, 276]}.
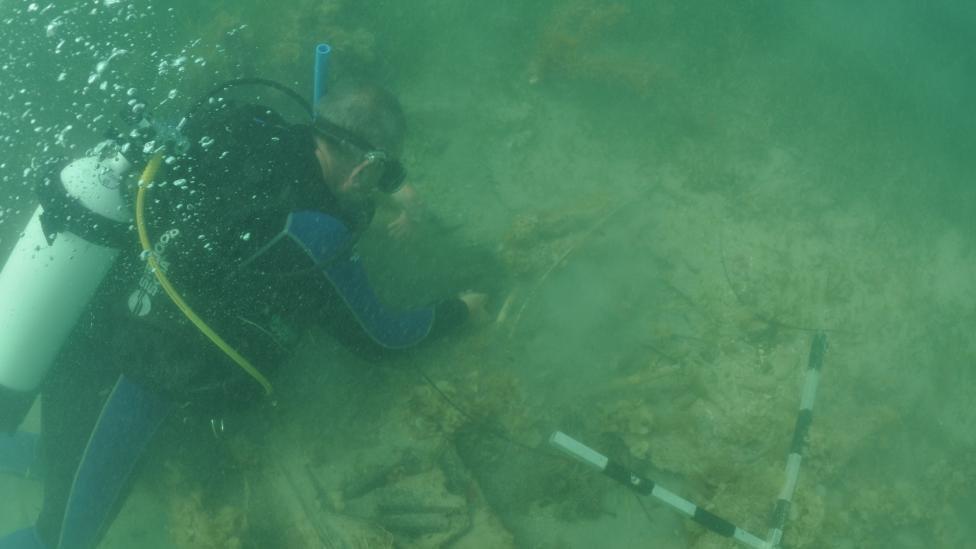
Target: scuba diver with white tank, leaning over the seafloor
{"type": "Point", "coordinates": [208, 274]}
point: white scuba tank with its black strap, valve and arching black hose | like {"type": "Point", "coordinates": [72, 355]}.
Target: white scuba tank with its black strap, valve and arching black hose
{"type": "Point", "coordinates": [69, 245]}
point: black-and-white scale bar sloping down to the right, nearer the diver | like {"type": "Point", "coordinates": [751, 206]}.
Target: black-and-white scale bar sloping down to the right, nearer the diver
{"type": "Point", "coordinates": [647, 487]}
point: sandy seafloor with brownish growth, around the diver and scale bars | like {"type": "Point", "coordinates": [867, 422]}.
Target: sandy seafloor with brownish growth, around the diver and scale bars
{"type": "Point", "coordinates": [662, 223]}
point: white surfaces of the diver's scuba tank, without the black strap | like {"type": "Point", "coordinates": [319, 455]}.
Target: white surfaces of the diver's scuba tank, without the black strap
{"type": "Point", "coordinates": [44, 287]}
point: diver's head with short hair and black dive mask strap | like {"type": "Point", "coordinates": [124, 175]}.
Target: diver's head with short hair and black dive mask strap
{"type": "Point", "coordinates": [359, 130]}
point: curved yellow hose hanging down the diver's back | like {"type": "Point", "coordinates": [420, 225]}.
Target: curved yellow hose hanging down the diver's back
{"type": "Point", "coordinates": [148, 174]}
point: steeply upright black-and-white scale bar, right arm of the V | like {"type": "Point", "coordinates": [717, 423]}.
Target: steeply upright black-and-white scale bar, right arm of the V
{"type": "Point", "coordinates": [818, 348]}
